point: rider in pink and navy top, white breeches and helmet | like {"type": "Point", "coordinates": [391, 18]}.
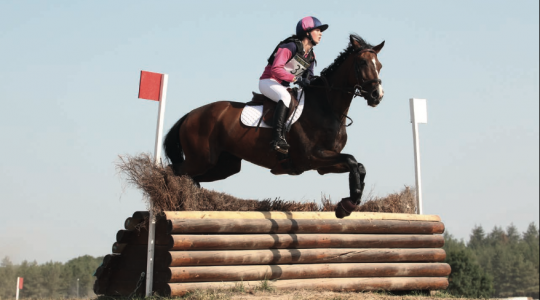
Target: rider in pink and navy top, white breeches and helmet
{"type": "Point", "coordinates": [292, 61]}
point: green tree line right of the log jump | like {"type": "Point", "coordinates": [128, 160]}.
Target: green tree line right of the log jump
{"type": "Point", "coordinates": [498, 264]}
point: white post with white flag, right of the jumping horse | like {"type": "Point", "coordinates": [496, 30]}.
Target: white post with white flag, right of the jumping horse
{"type": "Point", "coordinates": [418, 115]}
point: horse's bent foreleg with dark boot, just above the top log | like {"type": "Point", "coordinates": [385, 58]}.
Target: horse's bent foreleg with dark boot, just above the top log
{"type": "Point", "coordinates": [333, 162]}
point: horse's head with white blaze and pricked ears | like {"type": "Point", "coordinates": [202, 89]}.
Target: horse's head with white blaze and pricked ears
{"type": "Point", "coordinates": [364, 75]}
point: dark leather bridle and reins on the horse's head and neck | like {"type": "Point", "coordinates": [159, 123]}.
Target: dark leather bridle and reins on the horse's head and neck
{"type": "Point", "coordinates": [357, 90]}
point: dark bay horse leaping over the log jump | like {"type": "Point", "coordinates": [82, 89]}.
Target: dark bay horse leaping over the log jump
{"type": "Point", "coordinates": [210, 142]}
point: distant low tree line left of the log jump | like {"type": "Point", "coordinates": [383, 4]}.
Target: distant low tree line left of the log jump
{"type": "Point", "coordinates": [49, 280]}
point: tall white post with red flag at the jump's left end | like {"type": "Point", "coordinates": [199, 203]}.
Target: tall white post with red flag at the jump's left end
{"type": "Point", "coordinates": [153, 86]}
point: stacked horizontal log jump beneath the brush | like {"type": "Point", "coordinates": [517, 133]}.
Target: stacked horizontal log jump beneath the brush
{"type": "Point", "coordinates": [292, 250]}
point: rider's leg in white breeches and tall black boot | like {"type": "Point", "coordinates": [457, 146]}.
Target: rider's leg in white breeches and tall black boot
{"type": "Point", "coordinates": [277, 92]}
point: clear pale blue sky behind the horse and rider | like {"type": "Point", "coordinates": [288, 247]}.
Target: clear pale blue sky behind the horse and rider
{"type": "Point", "coordinates": [69, 75]}
